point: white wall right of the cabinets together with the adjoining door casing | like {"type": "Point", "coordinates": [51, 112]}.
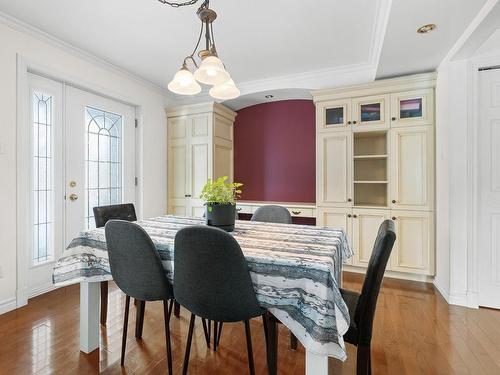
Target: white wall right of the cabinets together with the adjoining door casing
{"type": "Point", "coordinates": [455, 272]}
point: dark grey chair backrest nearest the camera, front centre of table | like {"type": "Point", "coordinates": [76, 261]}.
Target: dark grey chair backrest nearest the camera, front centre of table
{"type": "Point", "coordinates": [211, 277]}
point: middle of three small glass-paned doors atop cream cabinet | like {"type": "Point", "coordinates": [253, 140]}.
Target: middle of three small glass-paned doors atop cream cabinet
{"type": "Point", "coordinates": [371, 112]}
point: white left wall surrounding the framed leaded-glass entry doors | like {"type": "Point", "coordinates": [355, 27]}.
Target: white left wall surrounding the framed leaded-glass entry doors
{"type": "Point", "coordinates": [73, 68]}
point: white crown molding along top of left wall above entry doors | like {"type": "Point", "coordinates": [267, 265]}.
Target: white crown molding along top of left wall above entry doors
{"type": "Point", "coordinates": [18, 25]}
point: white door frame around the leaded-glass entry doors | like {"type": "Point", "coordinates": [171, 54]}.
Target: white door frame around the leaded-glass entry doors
{"type": "Point", "coordinates": [25, 66]}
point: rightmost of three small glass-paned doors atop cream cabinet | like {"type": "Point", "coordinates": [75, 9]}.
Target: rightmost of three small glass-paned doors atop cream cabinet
{"type": "Point", "coordinates": [412, 107]}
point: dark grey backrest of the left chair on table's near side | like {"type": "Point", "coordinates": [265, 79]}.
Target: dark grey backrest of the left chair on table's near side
{"type": "Point", "coordinates": [135, 264]}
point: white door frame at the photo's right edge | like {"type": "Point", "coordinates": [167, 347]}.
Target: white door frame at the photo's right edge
{"type": "Point", "coordinates": [473, 81]}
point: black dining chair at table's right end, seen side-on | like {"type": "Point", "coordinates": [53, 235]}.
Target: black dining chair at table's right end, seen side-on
{"type": "Point", "coordinates": [362, 306]}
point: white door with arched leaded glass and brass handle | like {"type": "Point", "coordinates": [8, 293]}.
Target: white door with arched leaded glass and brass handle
{"type": "Point", "coordinates": [100, 157]}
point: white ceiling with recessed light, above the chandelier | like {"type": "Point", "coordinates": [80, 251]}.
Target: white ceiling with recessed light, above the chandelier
{"type": "Point", "coordinates": [266, 45]}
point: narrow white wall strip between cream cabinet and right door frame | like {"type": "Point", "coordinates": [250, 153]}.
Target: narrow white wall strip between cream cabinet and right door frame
{"type": "Point", "coordinates": [451, 181]}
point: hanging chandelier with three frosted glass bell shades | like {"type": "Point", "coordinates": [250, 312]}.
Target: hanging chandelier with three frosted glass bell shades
{"type": "Point", "coordinates": [211, 70]}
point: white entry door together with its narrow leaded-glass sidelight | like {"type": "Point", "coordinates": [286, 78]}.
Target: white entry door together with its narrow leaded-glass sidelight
{"type": "Point", "coordinates": [82, 155]}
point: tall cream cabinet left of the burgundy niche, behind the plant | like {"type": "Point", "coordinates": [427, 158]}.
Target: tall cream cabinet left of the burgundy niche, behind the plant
{"type": "Point", "coordinates": [200, 146]}
